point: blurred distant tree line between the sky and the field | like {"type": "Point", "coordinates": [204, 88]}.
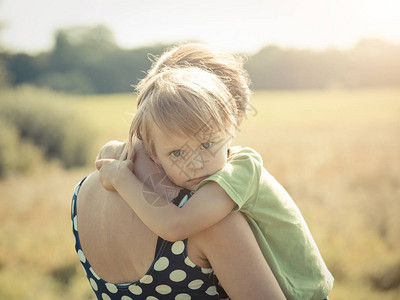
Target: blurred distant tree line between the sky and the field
{"type": "Point", "coordinates": [88, 60]}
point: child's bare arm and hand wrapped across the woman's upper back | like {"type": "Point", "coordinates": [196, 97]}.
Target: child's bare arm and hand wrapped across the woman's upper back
{"type": "Point", "coordinates": [207, 206]}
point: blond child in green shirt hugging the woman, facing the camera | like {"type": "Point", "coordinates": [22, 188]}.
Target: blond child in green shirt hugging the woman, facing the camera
{"type": "Point", "coordinates": [186, 119]}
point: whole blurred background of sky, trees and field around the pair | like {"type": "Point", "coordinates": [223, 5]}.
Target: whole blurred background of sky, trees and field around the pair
{"type": "Point", "coordinates": [326, 82]}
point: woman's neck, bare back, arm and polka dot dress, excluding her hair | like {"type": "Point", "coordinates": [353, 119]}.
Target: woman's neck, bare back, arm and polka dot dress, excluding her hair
{"type": "Point", "coordinates": [125, 264]}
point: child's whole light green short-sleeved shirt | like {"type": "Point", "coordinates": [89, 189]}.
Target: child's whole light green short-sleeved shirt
{"type": "Point", "coordinates": [277, 224]}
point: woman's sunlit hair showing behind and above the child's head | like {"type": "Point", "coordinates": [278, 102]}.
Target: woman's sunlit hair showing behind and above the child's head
{"type": "Point", "coordinates": [228, 67]}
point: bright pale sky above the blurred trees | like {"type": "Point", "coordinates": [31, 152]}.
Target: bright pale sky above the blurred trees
{"type": "Point", "coordinates": [232, 25]}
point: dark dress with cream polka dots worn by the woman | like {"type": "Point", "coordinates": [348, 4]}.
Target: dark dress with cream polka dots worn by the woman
{"type": "Point", "coordinates": [172, 275]}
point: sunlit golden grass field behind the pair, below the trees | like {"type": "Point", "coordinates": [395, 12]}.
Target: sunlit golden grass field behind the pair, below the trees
{"type": "Point", "coordinates": [337, 152]}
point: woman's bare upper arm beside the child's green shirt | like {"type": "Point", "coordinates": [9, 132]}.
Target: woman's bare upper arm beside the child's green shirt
{"type": "Point", "coordinates": [236, 258]}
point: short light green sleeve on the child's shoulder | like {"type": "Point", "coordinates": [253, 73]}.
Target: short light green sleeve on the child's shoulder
{"type": "Point", "coordinates": [240, 177]}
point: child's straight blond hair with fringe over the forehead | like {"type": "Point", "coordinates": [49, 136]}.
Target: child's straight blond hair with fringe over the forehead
{"type": "Point", "coordinates": [181, 101]}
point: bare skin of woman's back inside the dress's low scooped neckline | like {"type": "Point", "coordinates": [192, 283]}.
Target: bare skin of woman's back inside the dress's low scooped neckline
{"type": "Point", "coordinates": [118, 245]}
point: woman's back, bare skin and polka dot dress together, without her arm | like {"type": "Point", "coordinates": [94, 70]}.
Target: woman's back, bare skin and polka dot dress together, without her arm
{"type": "Point", "coordinates": [119, 256]}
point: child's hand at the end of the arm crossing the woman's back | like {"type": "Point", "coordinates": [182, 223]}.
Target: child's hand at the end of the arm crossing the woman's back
{"type": "Point", "coordinates": [111, 170]}
